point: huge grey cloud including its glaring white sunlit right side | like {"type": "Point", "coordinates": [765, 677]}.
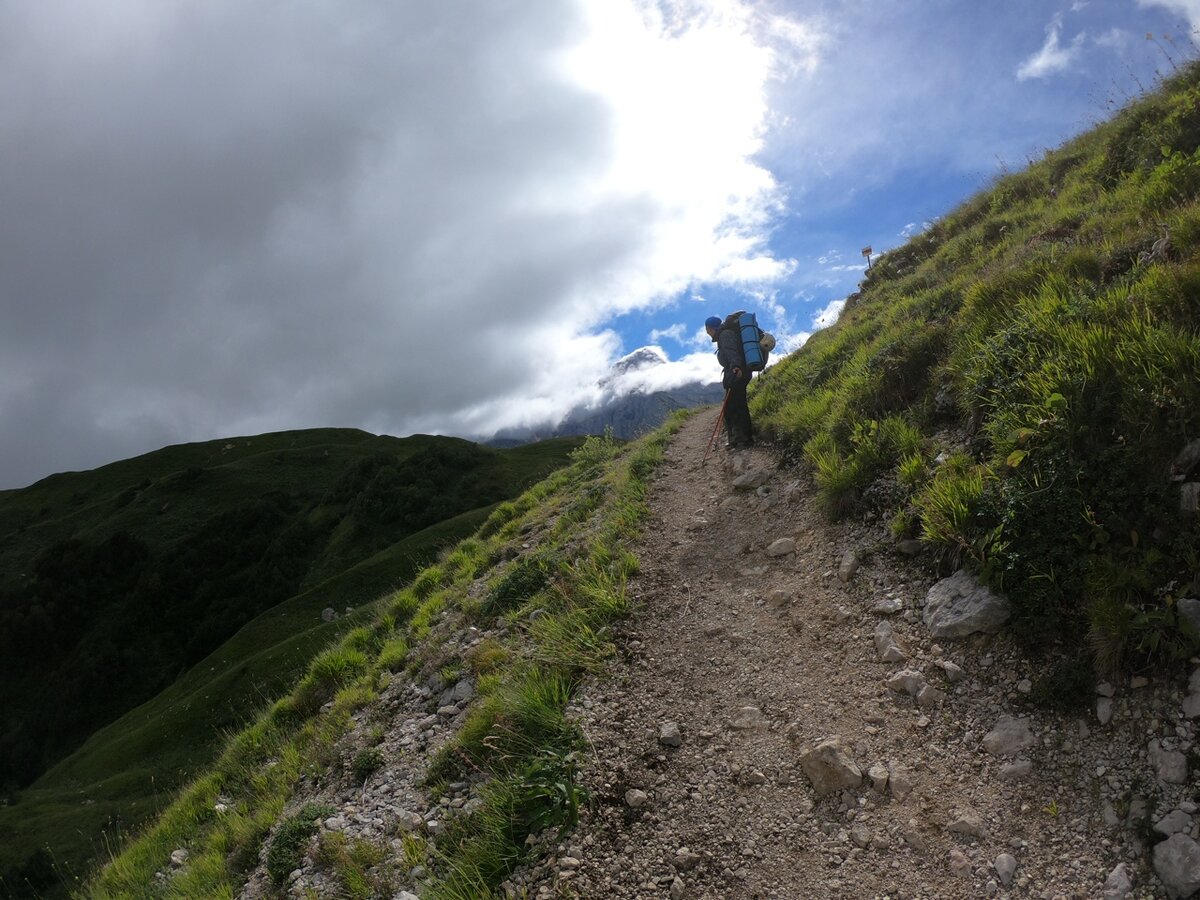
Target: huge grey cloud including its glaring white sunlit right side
{"type": "Point", "coordinates": [226, 219]}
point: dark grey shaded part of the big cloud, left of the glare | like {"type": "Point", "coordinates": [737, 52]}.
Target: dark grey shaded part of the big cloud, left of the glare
{"type": "Point", "coordinates": [221, 218]}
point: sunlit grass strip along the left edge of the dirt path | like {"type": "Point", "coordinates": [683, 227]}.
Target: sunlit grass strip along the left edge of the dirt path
{"type": "Point", "coordinates": [580, 520]}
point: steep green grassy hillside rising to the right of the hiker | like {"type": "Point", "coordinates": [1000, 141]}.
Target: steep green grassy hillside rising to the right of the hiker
{"type": "Point", "coordinates": [1021, 387]}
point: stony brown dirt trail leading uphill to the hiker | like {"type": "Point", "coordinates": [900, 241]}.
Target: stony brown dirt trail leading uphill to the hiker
{"type": "Point", "coordinates": [784, 725]}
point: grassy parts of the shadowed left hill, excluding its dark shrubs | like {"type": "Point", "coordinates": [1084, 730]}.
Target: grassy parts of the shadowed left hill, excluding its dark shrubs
{"type": "Point", "coordinates": [130, 769]}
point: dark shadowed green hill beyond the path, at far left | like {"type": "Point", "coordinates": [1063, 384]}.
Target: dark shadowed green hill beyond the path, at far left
{"type": "Point", "coordinates": [154, 605]}
